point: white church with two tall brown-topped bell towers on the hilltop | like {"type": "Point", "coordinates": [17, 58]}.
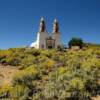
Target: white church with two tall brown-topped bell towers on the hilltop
{"type": "Point", "coordinates": [45, 40]}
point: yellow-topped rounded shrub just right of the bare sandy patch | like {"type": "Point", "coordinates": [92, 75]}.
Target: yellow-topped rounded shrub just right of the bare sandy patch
{"type": "Point", "coordinates": [26, 76]}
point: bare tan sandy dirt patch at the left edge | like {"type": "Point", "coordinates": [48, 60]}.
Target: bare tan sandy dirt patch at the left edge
{"type": "Point", "coordinates": [6, 73]}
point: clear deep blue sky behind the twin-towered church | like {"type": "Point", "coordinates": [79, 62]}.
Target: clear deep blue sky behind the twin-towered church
{"type": "Point", "coordinates": [19, 20]}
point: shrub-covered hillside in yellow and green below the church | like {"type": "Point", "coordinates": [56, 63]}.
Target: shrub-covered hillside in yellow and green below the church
{"type": "Point", "coordinates": [50, 74]}
